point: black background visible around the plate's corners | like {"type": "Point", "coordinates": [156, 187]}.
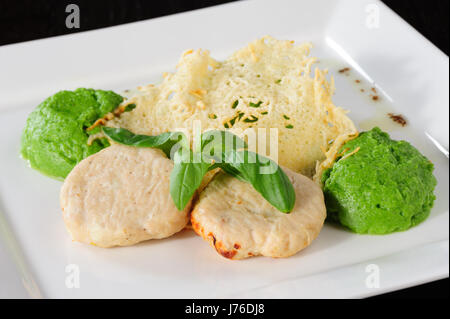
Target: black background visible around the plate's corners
{"type": "Point", "coordinates": [24, 20]}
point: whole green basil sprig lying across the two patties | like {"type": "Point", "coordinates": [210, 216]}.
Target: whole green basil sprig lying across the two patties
{"type": "Point", "coordinates": [218, 149]}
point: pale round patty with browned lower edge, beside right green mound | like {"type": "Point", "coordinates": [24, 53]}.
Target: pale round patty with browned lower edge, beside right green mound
{"type": "Point", "coordinates": [239, 223]}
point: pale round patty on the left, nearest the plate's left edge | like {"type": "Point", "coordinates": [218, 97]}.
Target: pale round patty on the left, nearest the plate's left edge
{"type": "Point", "coordinates": [120, 196]}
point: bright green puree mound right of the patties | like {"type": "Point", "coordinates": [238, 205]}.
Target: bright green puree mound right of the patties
{"type": "Point", "coordinates": [386, 186]}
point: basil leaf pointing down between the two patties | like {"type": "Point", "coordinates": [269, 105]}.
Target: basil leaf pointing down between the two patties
{"type": "Point", "coordinates": [186, 176]}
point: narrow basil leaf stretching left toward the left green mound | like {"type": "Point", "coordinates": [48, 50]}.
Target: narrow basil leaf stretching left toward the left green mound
{"type": "Point", "coordinates": [164, 141]}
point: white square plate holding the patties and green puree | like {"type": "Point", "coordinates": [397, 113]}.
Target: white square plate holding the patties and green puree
{"type": "Point", "coordinates": [409, 73]}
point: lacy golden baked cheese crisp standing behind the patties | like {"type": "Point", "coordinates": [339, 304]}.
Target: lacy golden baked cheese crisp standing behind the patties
{"type": "Point", "coordinates": [267, 84]}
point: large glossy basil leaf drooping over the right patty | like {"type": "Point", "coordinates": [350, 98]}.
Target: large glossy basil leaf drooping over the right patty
{"type": "Point", "coordinates": [265, 176]}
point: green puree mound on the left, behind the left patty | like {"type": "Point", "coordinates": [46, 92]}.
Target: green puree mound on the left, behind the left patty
{"type": "Point", "coordinates": [54, 139]}
